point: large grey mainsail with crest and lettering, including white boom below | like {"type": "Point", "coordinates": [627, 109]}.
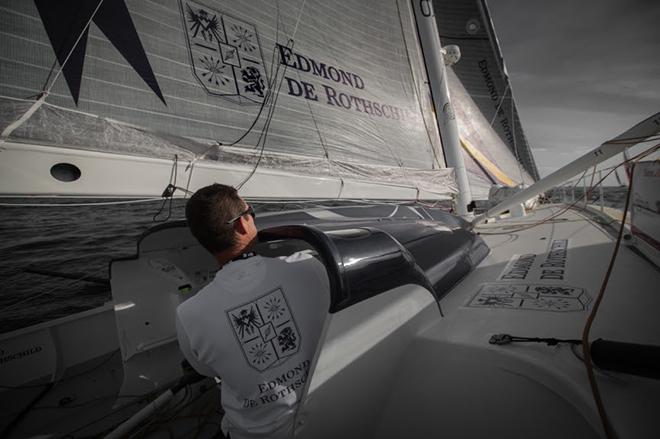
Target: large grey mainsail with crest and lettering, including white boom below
{"type": "Point", "coordinates": [305, 92]}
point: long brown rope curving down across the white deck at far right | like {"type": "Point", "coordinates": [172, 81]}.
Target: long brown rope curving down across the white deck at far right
{"type": "Point", "coordinates": [586, 351]}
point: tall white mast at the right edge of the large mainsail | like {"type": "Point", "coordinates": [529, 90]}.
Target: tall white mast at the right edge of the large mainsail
{"type": "Point", "coordinates": [445, 116]}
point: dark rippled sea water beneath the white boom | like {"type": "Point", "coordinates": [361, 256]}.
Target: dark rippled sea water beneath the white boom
{"type": "Point", "coordinates": [79, 242]}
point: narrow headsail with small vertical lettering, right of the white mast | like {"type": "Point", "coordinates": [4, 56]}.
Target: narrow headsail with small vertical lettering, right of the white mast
{"type": "Point", "coordinates": [482, 93]}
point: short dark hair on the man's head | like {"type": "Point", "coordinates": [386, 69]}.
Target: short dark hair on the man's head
{"type": "Point", "coordinates": [208, 211]}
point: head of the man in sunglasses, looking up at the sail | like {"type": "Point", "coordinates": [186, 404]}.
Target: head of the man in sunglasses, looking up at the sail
{"type": "Point", "coordinates": [219, 218]}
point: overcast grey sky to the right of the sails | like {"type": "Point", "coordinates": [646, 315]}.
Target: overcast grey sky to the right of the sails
{"type": "Point", "coordinates": [582, 71]}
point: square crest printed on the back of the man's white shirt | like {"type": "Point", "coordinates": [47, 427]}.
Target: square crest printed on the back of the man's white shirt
{"type": "Point", "coordinates": [266, 330]}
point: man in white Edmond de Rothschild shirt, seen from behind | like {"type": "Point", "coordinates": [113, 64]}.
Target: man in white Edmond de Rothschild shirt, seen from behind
{"type": "Point", "coordinates": [256, 324]}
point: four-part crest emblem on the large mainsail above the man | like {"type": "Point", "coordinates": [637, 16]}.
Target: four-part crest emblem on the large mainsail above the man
{"type": "Point", "coordinates": [225, 54]}
